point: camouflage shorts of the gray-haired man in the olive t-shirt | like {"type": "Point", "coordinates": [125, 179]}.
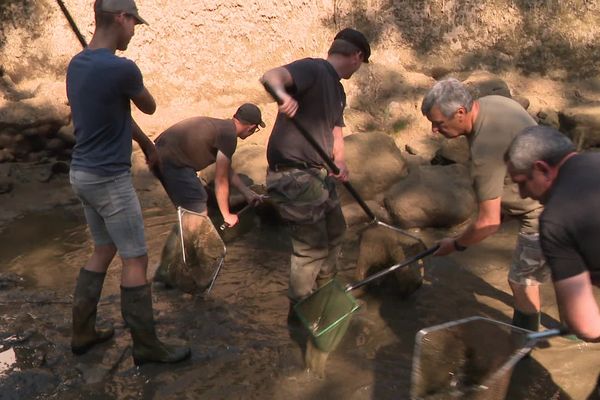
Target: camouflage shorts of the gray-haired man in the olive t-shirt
{"type": "Point", "coordinates": [528, 266]}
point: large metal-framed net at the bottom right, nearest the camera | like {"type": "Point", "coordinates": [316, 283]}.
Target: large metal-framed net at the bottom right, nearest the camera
{"type": "Point", "coordinates": [472, 358]}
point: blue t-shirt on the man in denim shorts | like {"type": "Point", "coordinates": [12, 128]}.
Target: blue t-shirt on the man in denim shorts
{"type": "Point", "coordinates": [100, 86]}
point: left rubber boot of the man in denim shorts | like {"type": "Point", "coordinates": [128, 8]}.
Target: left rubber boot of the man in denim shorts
{"type": "Point", "coordinates": [85, 305]}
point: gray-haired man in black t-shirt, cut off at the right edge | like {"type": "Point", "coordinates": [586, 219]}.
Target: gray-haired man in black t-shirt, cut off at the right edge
{"type": "Point", "coordinates": [544, 164]}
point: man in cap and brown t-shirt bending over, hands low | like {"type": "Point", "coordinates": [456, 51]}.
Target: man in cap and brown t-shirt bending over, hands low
{"type": "Point", "coordinates": [192, 145]}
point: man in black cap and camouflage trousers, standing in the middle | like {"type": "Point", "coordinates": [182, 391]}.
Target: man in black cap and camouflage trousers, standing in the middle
{"type": "Point", "coordinates": [311, 92]}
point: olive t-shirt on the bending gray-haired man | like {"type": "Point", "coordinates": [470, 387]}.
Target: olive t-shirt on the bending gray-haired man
{"type": "Point", "coordinates": [499, 120]}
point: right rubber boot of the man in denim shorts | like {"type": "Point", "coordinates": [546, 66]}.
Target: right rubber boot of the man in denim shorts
{"type": "Point", "coordinates": [136, 307]}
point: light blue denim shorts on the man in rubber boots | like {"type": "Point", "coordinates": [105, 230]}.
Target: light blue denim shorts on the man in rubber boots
{"type": "Point", "coordinates": [112, 211]}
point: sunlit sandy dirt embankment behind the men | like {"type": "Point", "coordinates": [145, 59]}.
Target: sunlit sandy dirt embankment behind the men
{"type": "Point", "coordinates": [206, 58]}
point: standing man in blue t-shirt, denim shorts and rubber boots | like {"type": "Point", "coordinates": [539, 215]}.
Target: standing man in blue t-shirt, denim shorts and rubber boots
{"type": "Point", "coordinates": [100, 88]}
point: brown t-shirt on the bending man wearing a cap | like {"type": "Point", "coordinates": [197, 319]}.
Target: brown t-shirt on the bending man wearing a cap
{"type": "Point", "coordinates": [194, 142]}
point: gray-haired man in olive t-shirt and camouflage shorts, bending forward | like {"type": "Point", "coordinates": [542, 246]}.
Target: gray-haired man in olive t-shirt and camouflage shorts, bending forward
{"type": "Point", "coordinates": [489, 124]}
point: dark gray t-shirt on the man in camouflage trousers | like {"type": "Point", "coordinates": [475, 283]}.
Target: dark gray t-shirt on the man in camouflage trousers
{"type": "Point", "coordinates": [321, 99]}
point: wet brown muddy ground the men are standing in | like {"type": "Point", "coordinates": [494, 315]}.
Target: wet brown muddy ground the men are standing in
{"type": "Point", "coordinates": [241, 345]}
